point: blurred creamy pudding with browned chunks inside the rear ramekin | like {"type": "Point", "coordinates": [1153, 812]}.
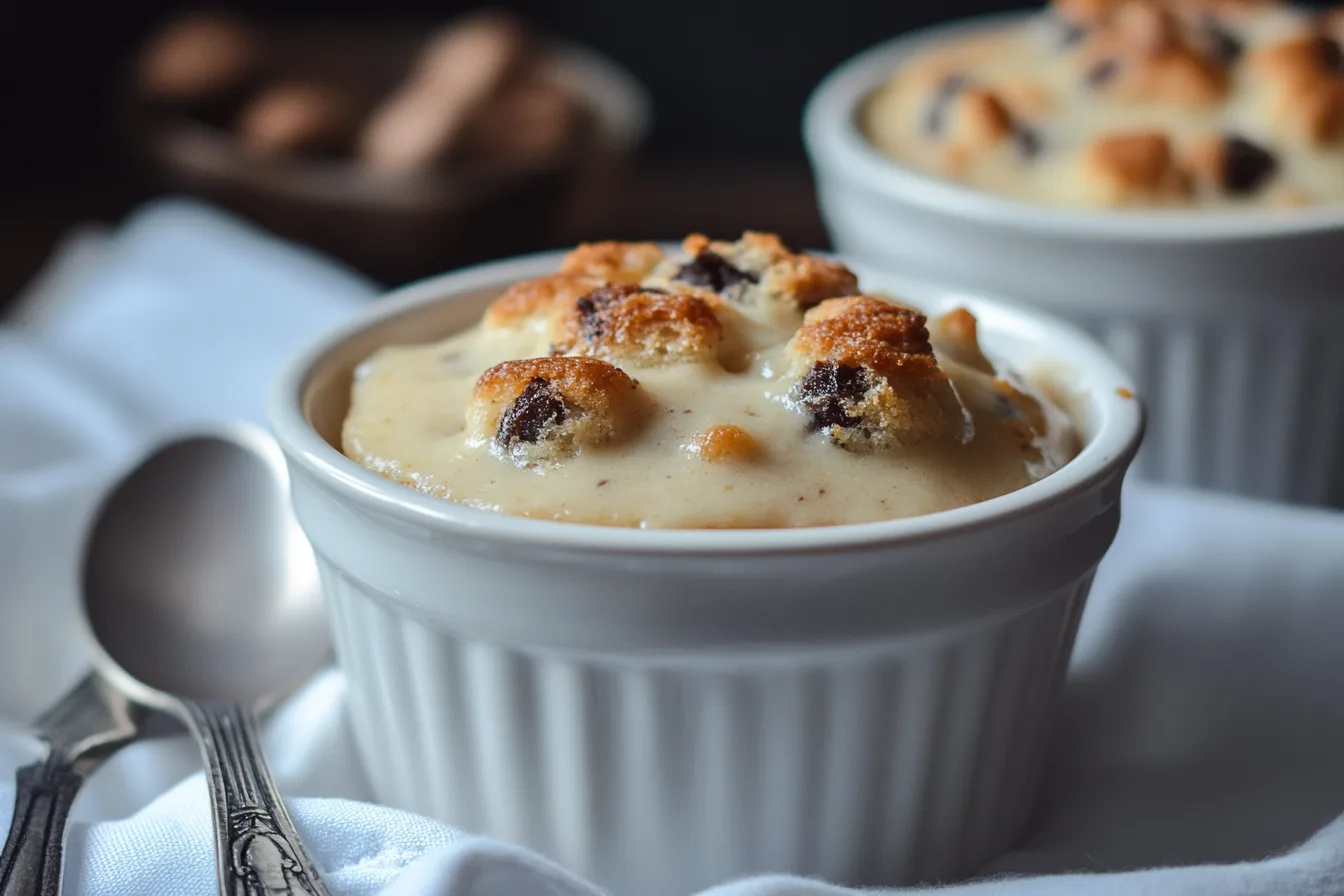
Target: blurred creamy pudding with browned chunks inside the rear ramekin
{"type": "Point", "coordinates": [1131, 103]}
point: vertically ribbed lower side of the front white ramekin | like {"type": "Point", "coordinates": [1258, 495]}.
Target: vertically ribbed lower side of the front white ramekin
{"type": "Point", "coordinates": [896, 762]}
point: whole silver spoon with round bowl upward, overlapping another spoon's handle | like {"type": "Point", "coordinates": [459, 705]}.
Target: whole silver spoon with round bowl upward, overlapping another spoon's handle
{"type": "Point", "coordinates": [204, 598]}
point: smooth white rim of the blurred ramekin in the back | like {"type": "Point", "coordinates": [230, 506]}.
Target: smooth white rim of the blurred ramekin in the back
{"type": "Point", "coordinates": [837, 146]}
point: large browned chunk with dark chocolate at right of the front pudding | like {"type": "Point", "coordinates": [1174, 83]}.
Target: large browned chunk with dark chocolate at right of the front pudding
{"type": "Point", "coordinates": [865, 374]}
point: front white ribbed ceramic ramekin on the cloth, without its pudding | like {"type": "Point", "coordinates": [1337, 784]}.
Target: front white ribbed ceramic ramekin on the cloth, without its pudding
{"type": "Point", "coordinates": [665, 710]}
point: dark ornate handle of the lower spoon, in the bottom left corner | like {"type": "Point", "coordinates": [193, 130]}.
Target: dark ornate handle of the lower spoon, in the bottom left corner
{"type": "Point", "coordinates": [87, 727]}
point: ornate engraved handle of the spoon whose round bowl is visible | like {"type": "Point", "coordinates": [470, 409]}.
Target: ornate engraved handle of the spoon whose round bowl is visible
{"type": "Point", "coordinates": [257, 848]}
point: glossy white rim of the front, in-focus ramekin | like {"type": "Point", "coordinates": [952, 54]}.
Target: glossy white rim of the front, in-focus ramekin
{"type": "Point", "coordinates": [1108, 453]}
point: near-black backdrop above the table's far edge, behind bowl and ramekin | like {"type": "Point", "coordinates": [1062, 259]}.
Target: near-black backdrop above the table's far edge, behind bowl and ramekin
{"type": "Point", "coordinates": [729, 79]}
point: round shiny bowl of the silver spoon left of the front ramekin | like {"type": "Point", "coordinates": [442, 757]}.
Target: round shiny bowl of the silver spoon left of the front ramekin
{"type": "Point", "coordinates": [198, 582]}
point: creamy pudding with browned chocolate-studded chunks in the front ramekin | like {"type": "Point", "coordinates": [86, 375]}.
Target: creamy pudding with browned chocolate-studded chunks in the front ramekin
{"type": "Point", "coordinates": [720, 386]}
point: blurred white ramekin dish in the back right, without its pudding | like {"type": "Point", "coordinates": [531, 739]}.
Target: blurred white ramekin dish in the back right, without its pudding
{"type": "Point", "coordinates": [1233, 324]}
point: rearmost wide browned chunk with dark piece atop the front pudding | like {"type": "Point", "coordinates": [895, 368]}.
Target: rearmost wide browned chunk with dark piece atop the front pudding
{"type": "Point", "coordinates": [757, 271]}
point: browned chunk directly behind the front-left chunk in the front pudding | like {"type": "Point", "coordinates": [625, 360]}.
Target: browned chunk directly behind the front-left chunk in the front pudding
{"type": "Point", "coordinates": [630, 324]}
